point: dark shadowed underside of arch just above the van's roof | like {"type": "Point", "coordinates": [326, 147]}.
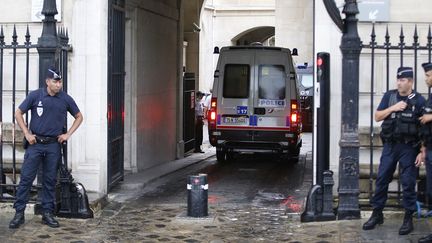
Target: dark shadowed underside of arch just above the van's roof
{"type": "Point", "coordinates": [258, 34]}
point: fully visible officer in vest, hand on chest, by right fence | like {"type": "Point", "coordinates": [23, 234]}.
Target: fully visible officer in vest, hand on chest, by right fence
{"type": "Point", "coordinates": [399, 110]}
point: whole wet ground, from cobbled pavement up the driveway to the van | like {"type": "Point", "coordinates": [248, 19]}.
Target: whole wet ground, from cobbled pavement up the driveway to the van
{"type": "Point", "coordinates": [252, 199]}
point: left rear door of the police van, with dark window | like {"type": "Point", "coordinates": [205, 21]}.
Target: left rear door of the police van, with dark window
{"type": "Point", "coordinates": [234, 108]}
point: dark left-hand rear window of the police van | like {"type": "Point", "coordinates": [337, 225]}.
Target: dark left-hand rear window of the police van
{"type": "Point", "coordinates": [236, 81]}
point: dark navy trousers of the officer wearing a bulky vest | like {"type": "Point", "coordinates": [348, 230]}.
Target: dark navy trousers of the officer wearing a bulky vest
{"type": "Point", "coordinates": [405, 154]}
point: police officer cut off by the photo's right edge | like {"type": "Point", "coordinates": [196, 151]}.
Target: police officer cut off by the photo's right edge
{"type": "Point", "coordinates": [425, 154]}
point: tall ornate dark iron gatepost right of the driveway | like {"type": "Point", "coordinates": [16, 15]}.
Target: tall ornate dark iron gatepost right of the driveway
{"type": "Point", "coordinates": [348, 207]}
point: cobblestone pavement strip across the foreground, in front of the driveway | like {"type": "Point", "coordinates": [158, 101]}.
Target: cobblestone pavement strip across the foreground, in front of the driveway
{"type": "Point", "coordinates": [130, 222]}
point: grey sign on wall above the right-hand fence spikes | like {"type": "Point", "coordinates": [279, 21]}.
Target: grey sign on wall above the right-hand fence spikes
{"type": "Point", "coordinates": [373, 10]}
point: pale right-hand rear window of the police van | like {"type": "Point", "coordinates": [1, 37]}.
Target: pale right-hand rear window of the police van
{"type": "Point", "coordinates": [271, 82]}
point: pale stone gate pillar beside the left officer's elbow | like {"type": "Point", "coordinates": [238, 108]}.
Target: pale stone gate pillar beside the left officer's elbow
{"type": "Point", "coordinates": [88, 85]}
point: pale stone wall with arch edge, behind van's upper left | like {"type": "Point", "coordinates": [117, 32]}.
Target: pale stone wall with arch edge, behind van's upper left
{"type": "Point", "coordinates": [221, 21]}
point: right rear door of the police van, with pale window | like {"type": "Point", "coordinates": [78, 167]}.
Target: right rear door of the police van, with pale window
{"type": "Point", "coordinates": [272, 97]}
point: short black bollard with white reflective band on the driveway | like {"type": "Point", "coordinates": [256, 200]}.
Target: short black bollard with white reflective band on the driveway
{"type": "Point", "coordinates": [197, 196]}
